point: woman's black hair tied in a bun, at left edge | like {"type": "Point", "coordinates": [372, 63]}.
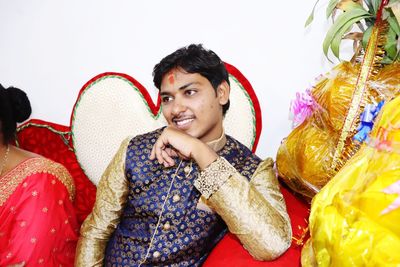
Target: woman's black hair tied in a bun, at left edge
{"type": "Point", "coordinates": [14, 107]}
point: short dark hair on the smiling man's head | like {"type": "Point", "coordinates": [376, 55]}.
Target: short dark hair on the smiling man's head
{"type": "Point", "coordinates": [194, 59]}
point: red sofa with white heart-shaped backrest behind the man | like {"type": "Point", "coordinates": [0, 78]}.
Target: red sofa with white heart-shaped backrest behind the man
{"type": "Point", "coordinates": [112, 106]}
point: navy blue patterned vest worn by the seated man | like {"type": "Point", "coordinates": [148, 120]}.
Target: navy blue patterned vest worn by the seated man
{"type": "Point", "coordinates": [186, 233]}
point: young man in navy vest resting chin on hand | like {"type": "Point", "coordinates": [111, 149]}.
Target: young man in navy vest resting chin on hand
{"type": "Point", "coordinates": [169, 196]}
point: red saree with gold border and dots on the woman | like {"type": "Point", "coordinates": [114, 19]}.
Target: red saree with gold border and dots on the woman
{"type": "Point", "coordinates": [38, 224]}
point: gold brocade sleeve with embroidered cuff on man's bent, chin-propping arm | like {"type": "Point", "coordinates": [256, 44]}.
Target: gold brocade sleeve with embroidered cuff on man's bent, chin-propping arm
{"type": "Point", "coordinates": [254, 211]}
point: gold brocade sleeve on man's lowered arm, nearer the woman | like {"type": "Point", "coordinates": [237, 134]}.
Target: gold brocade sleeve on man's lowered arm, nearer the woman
{"type": "Point", "coordinates": [101, 223]}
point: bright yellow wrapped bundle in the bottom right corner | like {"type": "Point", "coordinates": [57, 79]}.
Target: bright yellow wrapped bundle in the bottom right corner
{"type": "Point", "coordinates": [347, 224]}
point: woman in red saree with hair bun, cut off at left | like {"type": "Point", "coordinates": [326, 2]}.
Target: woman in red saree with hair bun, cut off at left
{"type": "Point", "coordinates": [38, 226]}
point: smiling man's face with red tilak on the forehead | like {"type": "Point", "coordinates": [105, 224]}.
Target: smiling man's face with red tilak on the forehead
{"type": "Point", "coordinates": [190, 103]}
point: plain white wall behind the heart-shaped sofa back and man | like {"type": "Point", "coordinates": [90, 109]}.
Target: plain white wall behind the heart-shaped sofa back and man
{"type": "Point", "coordinates": [50, 48]}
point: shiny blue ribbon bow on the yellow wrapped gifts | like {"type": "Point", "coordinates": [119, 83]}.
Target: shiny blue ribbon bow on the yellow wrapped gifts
{"type": "Point", "coordinates": [367, 119]}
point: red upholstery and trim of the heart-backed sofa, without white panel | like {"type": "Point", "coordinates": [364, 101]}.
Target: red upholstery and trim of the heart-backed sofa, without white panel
{"type": "Point", "coordinates": [54, 141]}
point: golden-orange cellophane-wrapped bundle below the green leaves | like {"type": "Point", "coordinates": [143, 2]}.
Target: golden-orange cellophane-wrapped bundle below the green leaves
{"type": "Point", "coordinates": [304, 159]}
